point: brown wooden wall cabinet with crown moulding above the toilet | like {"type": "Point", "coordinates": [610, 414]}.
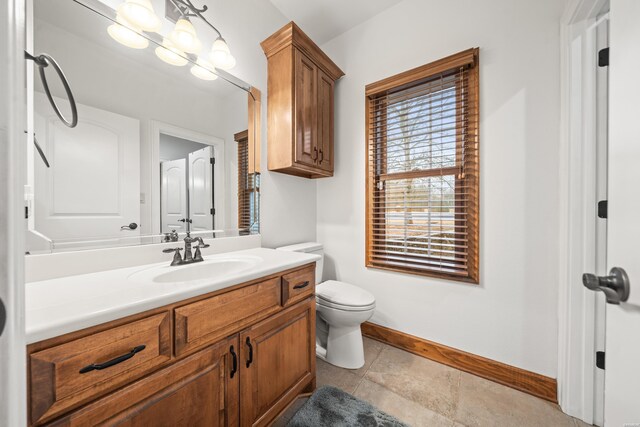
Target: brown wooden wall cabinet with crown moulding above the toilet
{"type": "Point", "coordinates": [301, 82]}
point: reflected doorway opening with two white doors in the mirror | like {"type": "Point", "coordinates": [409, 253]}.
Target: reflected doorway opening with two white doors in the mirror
{"type": "Point", "coordinates": [186, 190]}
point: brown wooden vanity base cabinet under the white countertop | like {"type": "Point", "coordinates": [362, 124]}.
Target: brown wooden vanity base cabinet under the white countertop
{"type": "Point", "coordinates": [236, 357]}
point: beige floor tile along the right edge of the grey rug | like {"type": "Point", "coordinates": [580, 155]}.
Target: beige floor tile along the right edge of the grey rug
{"type": "Point", "coordinates": [404, 409]}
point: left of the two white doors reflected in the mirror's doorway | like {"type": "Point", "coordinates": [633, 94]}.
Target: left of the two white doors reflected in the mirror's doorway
{"type": "Point", "coordinates": [173, 195]}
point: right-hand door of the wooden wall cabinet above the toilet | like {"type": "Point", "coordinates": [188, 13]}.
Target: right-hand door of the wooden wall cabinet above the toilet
{"type": "Point", "coordinates": [325, 121]}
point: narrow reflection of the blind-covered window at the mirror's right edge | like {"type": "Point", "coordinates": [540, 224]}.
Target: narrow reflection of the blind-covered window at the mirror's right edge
{"type": "Point", "coordinates": [248, 184]}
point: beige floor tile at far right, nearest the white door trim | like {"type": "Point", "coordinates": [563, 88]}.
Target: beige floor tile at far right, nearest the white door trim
{"type": "Point", "coordinates": [485, 403]}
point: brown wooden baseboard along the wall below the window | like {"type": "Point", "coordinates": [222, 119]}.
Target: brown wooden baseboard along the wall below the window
{"type": "Point", "coordinates": [519, 379]}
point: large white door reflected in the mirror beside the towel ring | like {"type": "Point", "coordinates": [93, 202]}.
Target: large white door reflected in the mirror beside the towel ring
{"type": "Point", "coordinates": [92, 188]}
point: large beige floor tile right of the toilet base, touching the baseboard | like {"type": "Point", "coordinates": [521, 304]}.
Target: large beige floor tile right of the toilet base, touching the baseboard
{"type": "Point", "coordinates": [430, 384]}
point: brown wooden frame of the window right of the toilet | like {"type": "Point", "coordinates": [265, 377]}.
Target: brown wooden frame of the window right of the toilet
{"type": "Point", "coordinates": [375, 92]}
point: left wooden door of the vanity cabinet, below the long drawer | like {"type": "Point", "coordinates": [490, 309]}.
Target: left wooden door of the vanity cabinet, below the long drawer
{"type": "Point", "coordinates": [200, 390]}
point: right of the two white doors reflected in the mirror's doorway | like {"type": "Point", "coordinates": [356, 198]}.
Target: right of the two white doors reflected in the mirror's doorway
{"type": "Point", "coordinates": [201, 189]}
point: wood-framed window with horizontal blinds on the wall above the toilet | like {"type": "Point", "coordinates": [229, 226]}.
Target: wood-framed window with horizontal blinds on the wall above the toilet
{"type": "Point", "coordinates": [422, 175]}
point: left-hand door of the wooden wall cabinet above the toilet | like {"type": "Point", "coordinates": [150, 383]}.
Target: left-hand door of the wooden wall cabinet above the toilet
{"type": "Point", "coordinates": [305, 91]}
